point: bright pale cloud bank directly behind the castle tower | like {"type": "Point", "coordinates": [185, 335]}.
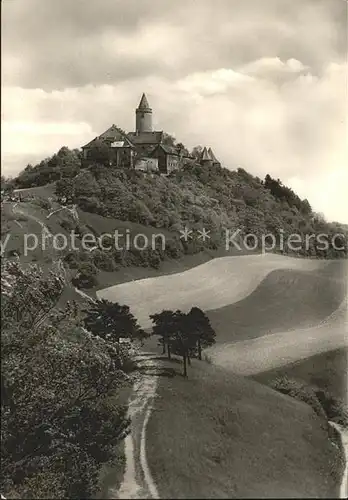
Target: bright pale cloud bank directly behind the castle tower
{"type": "Point", "coordinates": [293, 131]}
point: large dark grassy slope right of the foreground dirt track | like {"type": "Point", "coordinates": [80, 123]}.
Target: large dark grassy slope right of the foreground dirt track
{"type": "Point", "coordinates": [216, 435]}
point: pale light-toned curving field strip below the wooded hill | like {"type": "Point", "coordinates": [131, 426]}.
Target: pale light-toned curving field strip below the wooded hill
{"type": "Point", "coordinates": [214, 284]}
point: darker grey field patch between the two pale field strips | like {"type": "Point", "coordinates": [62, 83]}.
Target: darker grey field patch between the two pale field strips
{"type": "Point", "coordinates": [285, 299]}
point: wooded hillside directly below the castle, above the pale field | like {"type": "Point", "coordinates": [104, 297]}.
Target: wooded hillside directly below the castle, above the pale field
{"type": "Point", "coordinates": [240, 213]}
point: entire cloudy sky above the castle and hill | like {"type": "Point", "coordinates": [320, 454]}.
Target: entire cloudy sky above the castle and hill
{"type": "Point", "coordinates": [263, 82]}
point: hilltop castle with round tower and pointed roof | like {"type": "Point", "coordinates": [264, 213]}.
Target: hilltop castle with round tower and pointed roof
{"type": "Point", "coordinates": [145, 149]}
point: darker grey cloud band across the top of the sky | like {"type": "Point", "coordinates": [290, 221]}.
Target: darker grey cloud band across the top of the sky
{"type": "Point", "coordinates": [73, 43]}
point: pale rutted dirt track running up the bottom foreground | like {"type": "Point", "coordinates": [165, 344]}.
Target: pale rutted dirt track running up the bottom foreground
{"type": "Point", "coordinates": [137, 481]}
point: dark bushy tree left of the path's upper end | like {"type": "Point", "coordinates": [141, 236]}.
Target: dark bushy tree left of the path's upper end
{"type": "Point", "coordinates": [111, 321]}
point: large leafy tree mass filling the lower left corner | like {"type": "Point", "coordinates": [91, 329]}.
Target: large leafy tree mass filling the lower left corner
{"type": "Point", "coordinates": [60, 419]}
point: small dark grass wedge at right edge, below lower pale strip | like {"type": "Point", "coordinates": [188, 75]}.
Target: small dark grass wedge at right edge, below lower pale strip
{"type": "Point", "coordinates": [327, 371]}
